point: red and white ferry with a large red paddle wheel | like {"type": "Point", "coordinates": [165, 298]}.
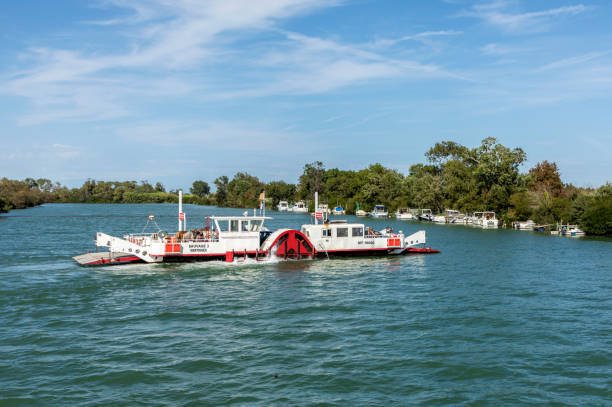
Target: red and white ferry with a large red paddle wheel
{"type": "Point", "coordinates": [236, 238]}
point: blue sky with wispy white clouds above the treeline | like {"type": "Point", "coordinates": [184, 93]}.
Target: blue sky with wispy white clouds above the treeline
{"type": "Point", "coordinates": [180, 90]}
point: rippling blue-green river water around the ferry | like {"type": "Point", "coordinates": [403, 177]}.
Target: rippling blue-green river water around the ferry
{"type": "Point", "coordinates": [500, 317]}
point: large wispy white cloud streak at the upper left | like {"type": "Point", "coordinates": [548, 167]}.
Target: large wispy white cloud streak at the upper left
{"type": "Point", "coordinates": [164, 40]}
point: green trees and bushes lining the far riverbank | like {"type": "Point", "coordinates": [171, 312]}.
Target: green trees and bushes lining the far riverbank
{"type": "Point", "coordinates": [486, 177]}
